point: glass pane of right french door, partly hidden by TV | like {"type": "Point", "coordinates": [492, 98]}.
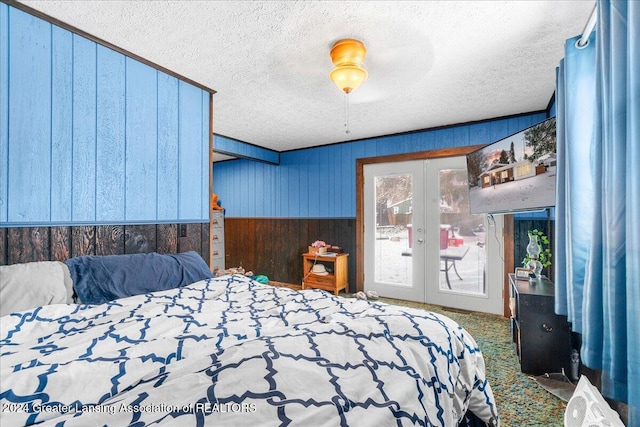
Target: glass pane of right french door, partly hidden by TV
{"type": "Point", "coordinates": [462, 237]}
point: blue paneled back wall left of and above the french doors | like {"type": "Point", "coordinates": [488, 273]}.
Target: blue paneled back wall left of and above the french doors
{"type": "Point", "coordinates": [320, 182]}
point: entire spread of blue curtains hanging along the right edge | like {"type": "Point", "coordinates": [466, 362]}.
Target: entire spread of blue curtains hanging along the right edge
{"type": "Point", "coordinates": [598, 207]}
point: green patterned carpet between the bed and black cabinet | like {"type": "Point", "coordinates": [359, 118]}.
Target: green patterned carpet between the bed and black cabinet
{"type": "Point", "coordinates": [520, 400]}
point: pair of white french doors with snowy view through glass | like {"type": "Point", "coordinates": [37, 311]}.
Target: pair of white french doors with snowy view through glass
{"type": "Point", "coordinates": [421, 244]}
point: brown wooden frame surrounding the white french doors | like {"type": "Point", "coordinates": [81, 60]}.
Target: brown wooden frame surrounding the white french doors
{"type": "Point", "coordinates": [421, 155]}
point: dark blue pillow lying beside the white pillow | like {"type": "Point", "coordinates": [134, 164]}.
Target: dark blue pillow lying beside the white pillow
{"type": "Point", "coordinates": [98, 279]}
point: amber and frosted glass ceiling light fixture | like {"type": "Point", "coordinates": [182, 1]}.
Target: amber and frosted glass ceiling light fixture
{"type": "Point", "coordinates": [348, 56]}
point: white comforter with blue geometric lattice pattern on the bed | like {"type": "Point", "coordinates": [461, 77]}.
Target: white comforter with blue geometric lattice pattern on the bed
{"type": "Point", "coordinates": [233, 352]}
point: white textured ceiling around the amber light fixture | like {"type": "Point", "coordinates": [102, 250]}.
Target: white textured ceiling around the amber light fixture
{"type": "Point", "coordinates": [430, 63]}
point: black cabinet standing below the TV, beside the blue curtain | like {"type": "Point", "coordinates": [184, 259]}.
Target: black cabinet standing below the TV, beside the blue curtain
{"type": "Point", "coordinates": [542, 339]}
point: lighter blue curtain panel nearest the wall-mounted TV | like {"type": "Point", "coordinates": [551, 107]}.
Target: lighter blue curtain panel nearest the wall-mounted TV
{"type": "Point", "coordinates": [575, 182]}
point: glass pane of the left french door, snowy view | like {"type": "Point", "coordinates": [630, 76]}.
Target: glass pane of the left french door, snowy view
{"type": "Point", "coordinates": [394, 210]}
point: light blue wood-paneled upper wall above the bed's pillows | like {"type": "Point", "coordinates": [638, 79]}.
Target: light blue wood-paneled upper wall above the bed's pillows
{"type": "Point", "coordinates": [88, 135]}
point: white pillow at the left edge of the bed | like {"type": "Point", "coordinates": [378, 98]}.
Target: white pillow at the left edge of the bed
{"type": "Point", "coordinates": [29, 285]}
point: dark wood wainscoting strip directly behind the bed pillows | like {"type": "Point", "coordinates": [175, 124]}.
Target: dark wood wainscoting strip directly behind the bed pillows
{"type": "Point", "coordinates": [60, 243]}
